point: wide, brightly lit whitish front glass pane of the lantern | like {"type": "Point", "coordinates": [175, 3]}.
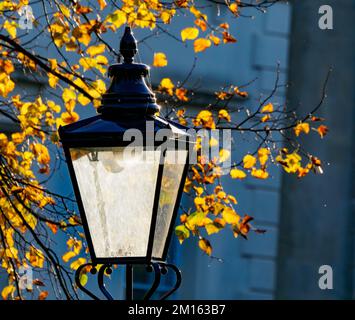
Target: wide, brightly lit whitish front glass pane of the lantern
{"type": "Point", "coordinates": [117, 187]}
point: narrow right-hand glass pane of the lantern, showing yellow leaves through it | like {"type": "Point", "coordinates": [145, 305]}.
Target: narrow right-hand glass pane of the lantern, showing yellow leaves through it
{"type": "Point", "coordinates": [174, 163]}
